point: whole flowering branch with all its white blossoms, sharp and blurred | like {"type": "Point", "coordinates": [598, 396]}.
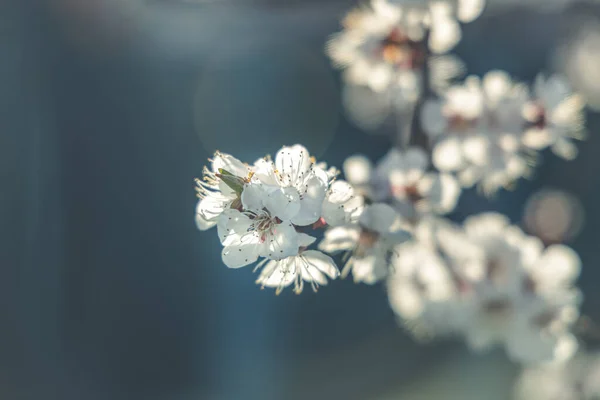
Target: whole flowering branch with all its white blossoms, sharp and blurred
{"type": "Point", "coordinates": [485, 281]}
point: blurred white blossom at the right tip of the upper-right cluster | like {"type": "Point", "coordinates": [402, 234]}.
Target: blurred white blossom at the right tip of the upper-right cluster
{"type": "Point", "coordinates": [554, 116]}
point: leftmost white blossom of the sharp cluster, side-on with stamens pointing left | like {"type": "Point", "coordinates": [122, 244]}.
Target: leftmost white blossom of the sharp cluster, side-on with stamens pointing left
{"type": "Point", "coordinates": [215, 194]}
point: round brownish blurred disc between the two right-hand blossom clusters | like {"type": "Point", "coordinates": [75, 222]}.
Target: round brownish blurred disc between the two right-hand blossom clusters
{"type": "Point", "coordinates": [553, 215]}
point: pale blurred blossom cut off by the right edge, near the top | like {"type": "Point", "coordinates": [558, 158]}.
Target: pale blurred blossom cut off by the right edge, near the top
{"type": "Point", "coordinates": [579, 58]}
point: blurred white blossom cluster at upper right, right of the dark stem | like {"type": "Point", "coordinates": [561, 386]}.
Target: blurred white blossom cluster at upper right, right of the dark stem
{"type": "Point", "coordinates": [488, 130]}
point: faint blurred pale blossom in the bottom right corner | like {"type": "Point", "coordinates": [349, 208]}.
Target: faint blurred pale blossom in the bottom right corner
{"type": "Point", "coordinates": [578, 379]}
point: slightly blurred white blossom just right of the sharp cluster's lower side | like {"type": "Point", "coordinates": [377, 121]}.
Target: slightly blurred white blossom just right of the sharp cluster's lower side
{"type": "Point", "coordinates": [368, 244]}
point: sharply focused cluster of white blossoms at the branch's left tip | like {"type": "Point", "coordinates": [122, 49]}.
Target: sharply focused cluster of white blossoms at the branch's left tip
{"type": "Point", "coordinates": [261, 210]}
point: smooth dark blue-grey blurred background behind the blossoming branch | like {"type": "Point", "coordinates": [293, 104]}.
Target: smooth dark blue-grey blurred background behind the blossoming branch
{"type": "Point", "coordinates": [108, 111]}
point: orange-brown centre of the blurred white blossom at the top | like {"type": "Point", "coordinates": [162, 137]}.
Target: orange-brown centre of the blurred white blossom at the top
{"type": "Point", "coordinates": [397, 49]}
